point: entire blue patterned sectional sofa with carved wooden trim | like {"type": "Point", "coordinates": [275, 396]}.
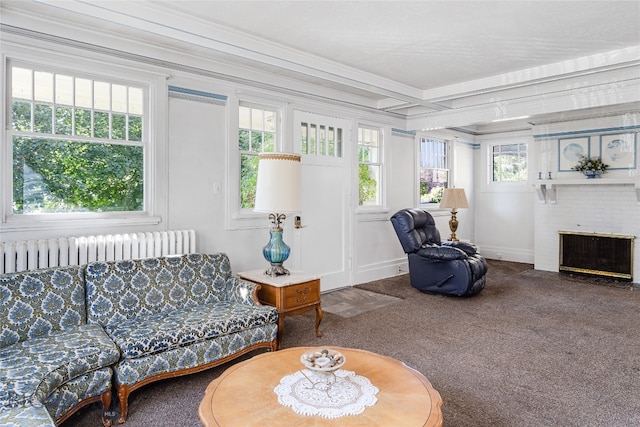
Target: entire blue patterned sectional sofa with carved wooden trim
{"type": "Point", "coordinates": [68, 333]}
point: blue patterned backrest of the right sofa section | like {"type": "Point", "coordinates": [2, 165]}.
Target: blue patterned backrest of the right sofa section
{"type": "Point", "coordinates": [118, 291]}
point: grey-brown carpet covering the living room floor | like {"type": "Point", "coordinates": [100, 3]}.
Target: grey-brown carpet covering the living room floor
{"type": "Point", "coordinates": [529, 350]}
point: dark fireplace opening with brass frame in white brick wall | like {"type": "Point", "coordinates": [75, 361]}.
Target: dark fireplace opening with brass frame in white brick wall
{"type": "Point", "coordinates": [597, 254]}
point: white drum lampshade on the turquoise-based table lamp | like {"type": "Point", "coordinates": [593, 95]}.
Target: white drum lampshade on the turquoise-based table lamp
{"type": "Point", "coordinates": [278, 188]}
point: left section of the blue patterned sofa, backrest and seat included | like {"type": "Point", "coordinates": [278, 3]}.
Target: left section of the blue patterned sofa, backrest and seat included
{"type": "Point", "coordinates": [51, 361]}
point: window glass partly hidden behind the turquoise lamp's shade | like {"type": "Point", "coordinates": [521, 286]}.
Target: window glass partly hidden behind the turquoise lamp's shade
{"type": "Point", "coordinates": [257, 133]}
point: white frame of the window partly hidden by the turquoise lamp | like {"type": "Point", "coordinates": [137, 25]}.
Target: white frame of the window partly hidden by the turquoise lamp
{"type": "Point", "coordinates": [237, 217]}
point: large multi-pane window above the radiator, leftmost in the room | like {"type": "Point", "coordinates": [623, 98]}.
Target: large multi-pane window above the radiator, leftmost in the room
{"type": "Point", "coordinates": [78, 142]}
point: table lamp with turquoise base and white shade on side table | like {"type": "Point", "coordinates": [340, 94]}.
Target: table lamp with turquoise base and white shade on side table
{"type": "Point", "coordinates": [277, 193]}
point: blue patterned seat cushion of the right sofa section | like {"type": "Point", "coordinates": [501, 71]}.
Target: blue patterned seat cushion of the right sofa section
{"type": "Point", "coordinates": [182, 327]}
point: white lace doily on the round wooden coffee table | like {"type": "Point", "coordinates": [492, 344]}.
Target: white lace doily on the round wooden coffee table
{"type": "Point", "coordinates": [327, 395]}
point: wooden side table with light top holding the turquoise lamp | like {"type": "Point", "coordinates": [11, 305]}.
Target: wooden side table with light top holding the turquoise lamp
{"type": "Point", "coordinates": [291, 294]}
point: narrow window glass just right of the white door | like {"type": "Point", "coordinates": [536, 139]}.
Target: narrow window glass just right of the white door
{"type": "Point", "coordinates": [369, 166]}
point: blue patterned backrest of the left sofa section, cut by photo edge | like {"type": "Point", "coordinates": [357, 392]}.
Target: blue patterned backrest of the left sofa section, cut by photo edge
{"type": "Point", "coordinates": [39, 302]}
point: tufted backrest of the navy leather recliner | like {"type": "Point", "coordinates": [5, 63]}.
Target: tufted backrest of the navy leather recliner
{"type": "Point", "coordinates": [415, 227]}
